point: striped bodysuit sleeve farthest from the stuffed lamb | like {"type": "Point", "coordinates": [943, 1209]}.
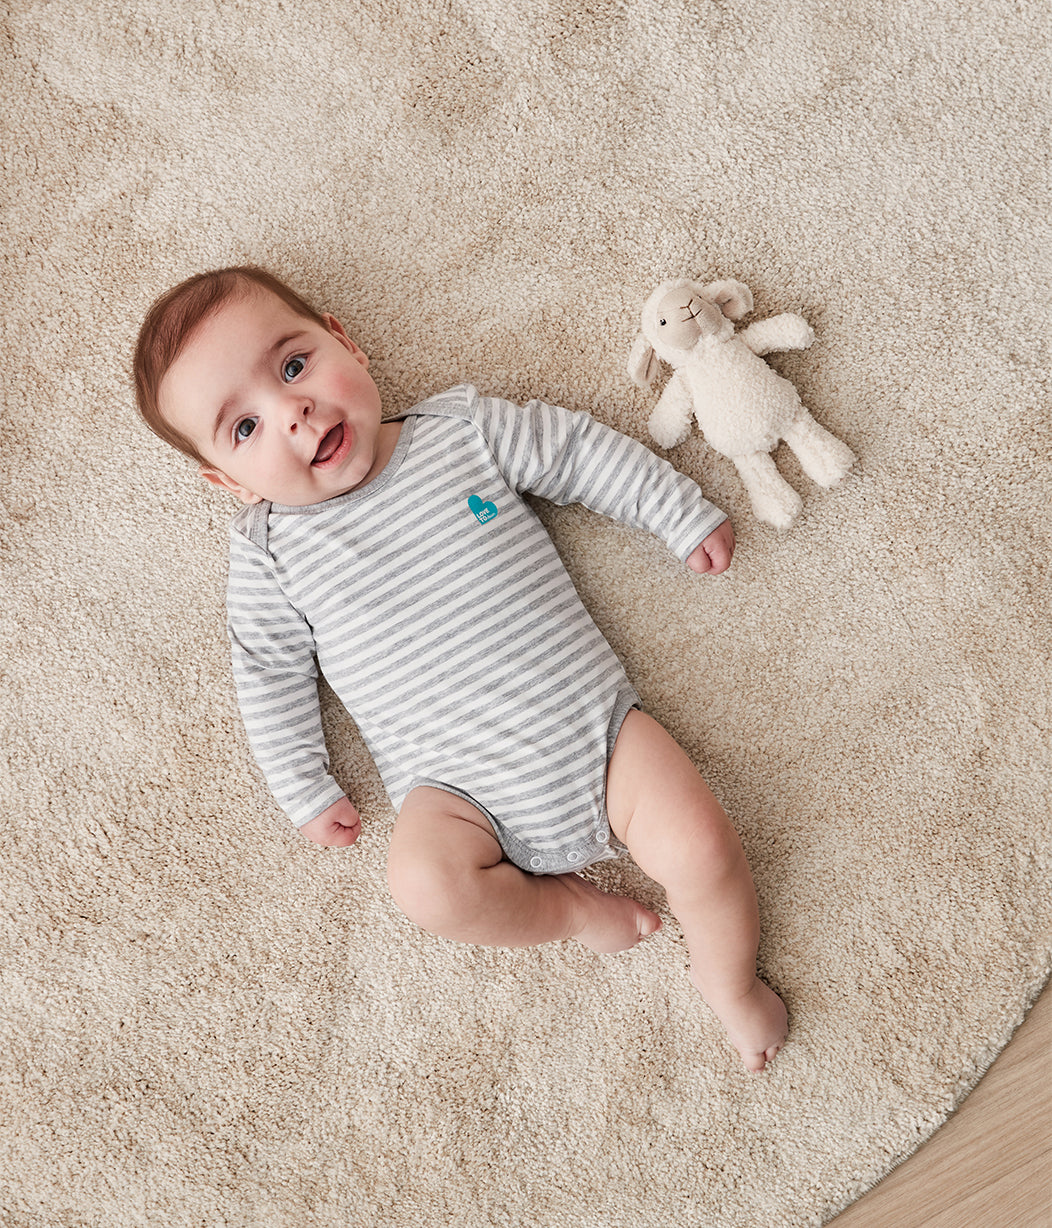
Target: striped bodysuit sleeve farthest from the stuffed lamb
{"type": "Point", "coordinates": [277, 678]}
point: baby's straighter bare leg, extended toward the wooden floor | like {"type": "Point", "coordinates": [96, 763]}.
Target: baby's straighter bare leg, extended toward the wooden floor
{"type": "Point", "coordinates": [678, 834]}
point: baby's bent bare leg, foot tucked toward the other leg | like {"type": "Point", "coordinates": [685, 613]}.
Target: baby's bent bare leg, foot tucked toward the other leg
{"type": "Point", "coordinates": [447, 874]}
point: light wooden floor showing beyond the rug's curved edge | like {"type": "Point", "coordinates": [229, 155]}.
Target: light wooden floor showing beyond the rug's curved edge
{"type": "Point", "coordinates": [991, 1165]}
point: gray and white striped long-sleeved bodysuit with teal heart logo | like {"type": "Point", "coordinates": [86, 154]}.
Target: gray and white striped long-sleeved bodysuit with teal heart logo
{"type": "Point", "coordinates": [439, 611]}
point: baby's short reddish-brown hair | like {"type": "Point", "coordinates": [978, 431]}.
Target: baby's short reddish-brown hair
{"type": "Point", "coordinates": [171, 322]}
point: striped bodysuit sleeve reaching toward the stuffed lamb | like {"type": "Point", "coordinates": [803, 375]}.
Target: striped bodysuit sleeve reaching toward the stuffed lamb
{"type": "Point", "coordinates": [569, 457]}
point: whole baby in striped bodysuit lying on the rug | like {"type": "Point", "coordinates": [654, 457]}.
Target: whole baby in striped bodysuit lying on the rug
{"type": "Point", "coordinates": [398, 557]}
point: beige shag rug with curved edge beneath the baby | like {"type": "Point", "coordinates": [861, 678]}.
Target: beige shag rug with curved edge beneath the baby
{"type": "Point", "coordinates": [207, 1021]}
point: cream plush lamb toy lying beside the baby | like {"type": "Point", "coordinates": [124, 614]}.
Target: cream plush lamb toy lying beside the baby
{"type": "Point", "coordinates": [742, 406]}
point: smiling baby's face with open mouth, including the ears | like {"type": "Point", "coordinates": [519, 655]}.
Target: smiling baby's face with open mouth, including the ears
{"type": "Point", "coordinates": [282, 408]}
